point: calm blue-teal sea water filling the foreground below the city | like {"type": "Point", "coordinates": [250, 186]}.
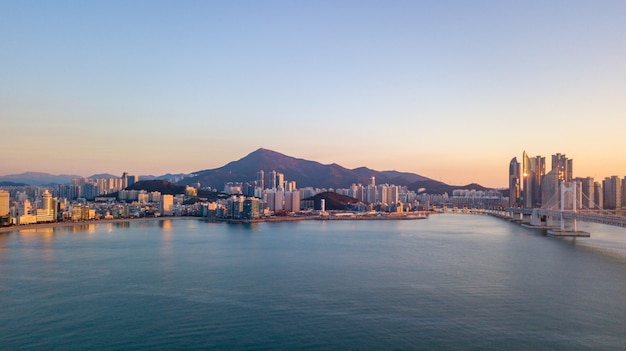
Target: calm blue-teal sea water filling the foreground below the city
{"type": "Point", "coordinates": [451, 282]}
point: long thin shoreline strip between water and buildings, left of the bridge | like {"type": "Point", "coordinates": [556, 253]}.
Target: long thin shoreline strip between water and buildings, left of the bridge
{"type": "Point", "coordinates": [17, 228]}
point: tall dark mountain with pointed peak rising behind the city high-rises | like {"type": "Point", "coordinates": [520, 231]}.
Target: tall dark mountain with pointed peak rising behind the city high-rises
{"type": "Point", "coordinates": [304, 172]}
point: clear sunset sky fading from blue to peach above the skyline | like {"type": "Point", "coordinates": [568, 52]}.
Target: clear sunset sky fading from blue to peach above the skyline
{"type": "Point", "coordinates": [451, 90]}
